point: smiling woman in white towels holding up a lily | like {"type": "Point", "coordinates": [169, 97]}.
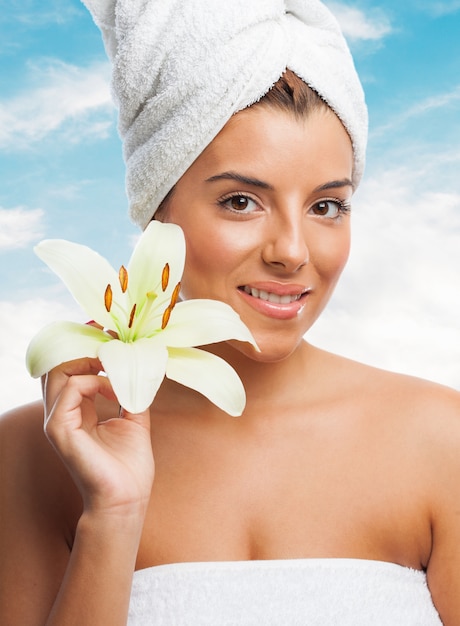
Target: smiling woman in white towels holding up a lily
{"type": "Point", "coordinates": [334, 497]}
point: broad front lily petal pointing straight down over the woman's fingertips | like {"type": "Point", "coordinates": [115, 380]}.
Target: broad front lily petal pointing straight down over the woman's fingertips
{"type": "Point", "coordinates": [136, 370]}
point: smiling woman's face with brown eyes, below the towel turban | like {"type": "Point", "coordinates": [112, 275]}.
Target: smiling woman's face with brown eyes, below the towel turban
{"type": "Point", "coordinates": [265, 210]}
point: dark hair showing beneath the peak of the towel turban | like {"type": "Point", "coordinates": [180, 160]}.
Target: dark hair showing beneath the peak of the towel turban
{"type": "Point", "coordinates": [292, 95]}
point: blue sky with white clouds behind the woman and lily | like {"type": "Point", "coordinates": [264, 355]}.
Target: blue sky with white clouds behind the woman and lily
{"type": "Point", "coordinates": [62, 175]}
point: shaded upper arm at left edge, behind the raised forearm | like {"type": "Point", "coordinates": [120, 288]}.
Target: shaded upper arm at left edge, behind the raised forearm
{"type": "Point", "coordinates": [39, 503]}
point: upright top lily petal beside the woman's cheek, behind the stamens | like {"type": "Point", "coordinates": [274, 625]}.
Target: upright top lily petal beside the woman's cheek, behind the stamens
{"type": "Point", "coordinates": [159, 245]}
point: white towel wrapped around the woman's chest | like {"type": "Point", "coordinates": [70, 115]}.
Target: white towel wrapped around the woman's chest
{"type": "Point", "coordinates": [302, 592]}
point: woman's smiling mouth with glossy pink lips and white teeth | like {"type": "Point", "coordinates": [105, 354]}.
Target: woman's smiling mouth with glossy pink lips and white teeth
{"type": "Point", "coordinates": [277, 300]}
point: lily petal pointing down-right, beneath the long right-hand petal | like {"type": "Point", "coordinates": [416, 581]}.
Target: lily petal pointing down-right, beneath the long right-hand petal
{"type": "Point", "coordinates": [209, 375]}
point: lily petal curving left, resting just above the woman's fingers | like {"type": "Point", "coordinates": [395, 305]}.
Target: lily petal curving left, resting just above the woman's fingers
{"type": "Point", "coordinates": [60, 342]}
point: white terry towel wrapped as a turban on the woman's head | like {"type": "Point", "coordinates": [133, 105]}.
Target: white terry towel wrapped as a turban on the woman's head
{"type": "Point", "coordinates": [181, 68]}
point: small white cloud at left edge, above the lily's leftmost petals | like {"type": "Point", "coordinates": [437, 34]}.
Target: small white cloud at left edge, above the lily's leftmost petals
{"type": "Point", "coordinates": [19, 227]}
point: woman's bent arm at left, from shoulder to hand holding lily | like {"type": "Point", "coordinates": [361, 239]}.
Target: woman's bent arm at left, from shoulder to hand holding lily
{"type": "Point", "coordinates": [42, 581]}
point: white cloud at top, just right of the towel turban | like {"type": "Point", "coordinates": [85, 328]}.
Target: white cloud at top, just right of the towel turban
{"type": "Point", "coordinates": [358, 25]}
